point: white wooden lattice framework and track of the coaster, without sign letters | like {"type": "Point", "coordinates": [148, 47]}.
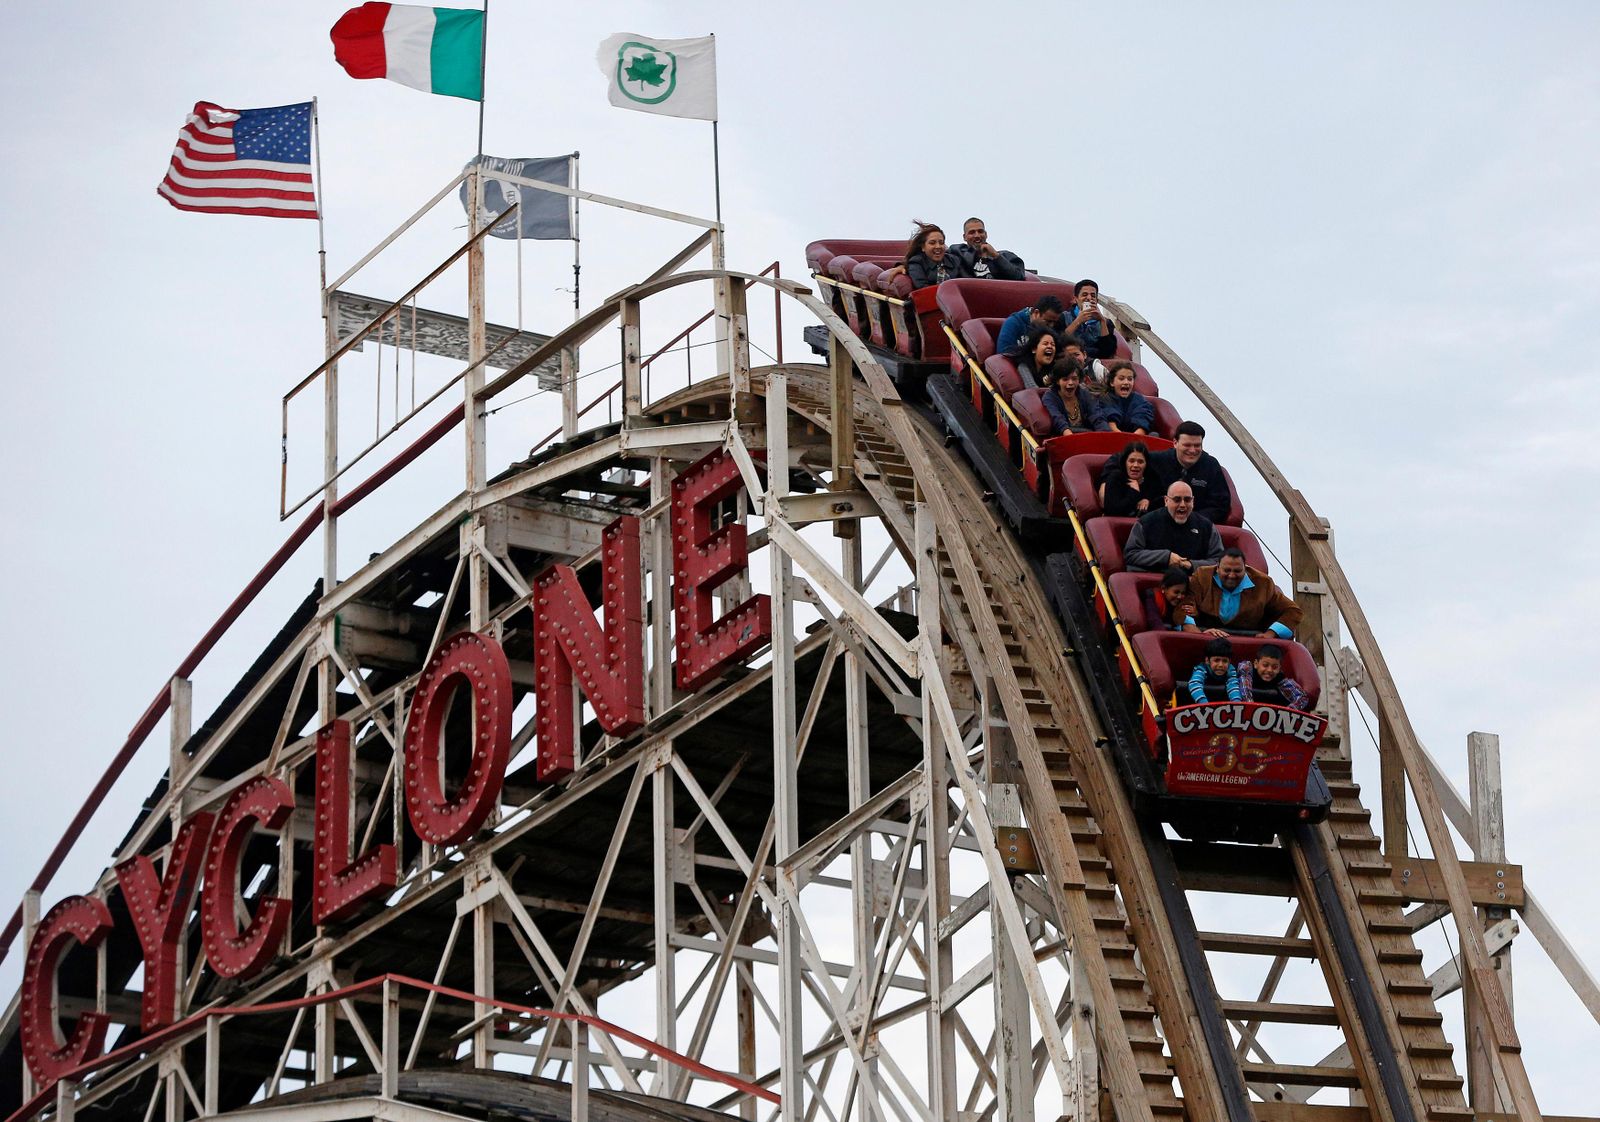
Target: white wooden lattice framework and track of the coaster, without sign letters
{"type": "Point", "coordinates": [881, 875]}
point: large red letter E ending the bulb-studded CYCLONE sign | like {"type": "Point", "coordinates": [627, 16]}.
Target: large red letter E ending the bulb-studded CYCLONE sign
{"type": "Point", "coordinates": [702, 561]}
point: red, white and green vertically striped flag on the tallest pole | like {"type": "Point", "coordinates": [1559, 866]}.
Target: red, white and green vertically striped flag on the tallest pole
{"type": "Point", "coordinates": [436, 50]}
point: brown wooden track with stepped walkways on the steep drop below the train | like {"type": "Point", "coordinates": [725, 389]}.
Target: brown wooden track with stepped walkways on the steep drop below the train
{"type": "Point", "coordinates": [1055, 726]}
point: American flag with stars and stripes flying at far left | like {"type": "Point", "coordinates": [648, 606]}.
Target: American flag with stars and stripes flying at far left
{"type": "Point", "coordinates": [244, 162]}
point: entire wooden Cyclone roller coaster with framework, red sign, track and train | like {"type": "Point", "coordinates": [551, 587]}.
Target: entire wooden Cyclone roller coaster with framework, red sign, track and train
{"type": "Point", "coordinates": [567, 807]}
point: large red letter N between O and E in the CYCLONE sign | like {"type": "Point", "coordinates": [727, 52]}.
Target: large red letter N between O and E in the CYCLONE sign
{"type": "Point", "coordinates": [569, 646]}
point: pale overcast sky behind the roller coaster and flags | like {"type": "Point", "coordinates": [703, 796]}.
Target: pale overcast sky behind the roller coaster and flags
{"type": "Point", "coordinates": [1372, 228]}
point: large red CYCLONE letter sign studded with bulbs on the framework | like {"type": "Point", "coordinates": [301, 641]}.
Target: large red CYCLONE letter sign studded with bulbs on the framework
{"type": "Point", "coordinates": [574, 654]}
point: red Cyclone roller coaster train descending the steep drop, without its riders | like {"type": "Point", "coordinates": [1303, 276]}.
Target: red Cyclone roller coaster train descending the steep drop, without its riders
{"type": "Point", "coordinates": [1217, 772]}
